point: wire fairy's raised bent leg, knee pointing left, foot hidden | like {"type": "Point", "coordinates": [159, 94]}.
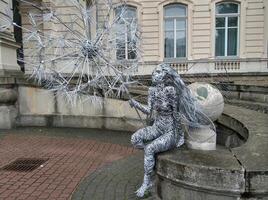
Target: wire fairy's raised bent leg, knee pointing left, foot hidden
{"type": "Point", "coordinates": [144, 135]}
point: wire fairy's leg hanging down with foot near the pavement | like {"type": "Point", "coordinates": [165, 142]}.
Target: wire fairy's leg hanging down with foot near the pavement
{"type": "Point", "coordinates": [163, 143]}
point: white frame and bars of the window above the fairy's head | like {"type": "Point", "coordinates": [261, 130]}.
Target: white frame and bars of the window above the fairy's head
{"type": "Point", "coordinates": [175, 31]}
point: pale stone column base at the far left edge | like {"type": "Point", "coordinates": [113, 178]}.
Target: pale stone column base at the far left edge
{"type": "Point", "coordinates": [8, 71]}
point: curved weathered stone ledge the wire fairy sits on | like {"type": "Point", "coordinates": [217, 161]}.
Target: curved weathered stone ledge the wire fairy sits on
{"type": "Point", "coordinates": [240, 172]}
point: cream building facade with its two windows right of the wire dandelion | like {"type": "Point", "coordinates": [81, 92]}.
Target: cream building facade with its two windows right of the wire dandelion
{"type": "Point", "coordinates": [218, 35]}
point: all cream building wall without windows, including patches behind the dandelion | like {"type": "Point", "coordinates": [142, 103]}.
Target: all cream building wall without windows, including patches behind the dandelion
{"type": "Point", "coordinates": [200, 34]}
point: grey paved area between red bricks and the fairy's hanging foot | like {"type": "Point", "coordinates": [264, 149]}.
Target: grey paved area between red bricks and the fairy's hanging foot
{"type": "Point", "coordinates": [117, 181]}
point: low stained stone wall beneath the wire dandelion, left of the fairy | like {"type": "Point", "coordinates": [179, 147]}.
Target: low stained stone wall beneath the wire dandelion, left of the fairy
{"type": "Point", "coordinates": [40, 107]}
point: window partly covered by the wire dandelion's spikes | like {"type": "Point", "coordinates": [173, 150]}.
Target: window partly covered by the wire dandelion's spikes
{"type": "Point", "coordinates": [125, 40]}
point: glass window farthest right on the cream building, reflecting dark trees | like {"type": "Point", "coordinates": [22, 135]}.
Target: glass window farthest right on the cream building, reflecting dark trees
{"type": "Point", "coordinates": [227, 28]}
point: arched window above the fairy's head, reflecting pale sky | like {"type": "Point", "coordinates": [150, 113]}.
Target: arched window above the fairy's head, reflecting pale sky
{"type": "Point", "coordinates": [175, 20]}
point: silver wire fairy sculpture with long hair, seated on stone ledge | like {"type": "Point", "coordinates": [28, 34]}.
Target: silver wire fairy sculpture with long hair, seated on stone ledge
{"type": "Point", "coordinates": [173, 106]}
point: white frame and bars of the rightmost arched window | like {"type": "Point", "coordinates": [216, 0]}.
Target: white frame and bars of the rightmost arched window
{"type": "Point", "coordinates": [226, 16]}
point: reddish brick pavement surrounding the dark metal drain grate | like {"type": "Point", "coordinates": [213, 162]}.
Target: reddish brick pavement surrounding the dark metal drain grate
{"type": "Point", "coordinates": [70, 160]}
